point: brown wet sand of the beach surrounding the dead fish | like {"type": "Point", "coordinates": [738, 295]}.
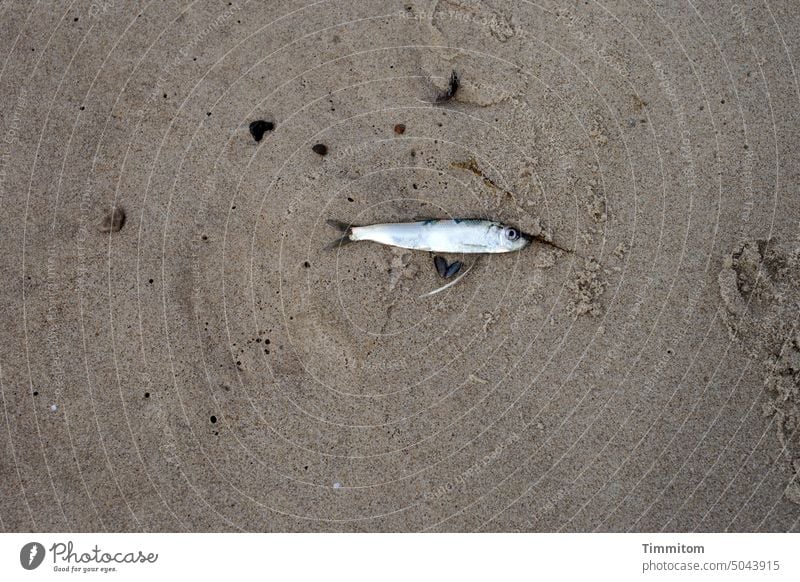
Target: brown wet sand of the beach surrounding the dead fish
{"type": "Point", "coordinates": [179, 351]}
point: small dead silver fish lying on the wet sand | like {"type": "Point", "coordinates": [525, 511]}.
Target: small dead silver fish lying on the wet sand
{"type": "Point", "coordinates": [438, 236]}
